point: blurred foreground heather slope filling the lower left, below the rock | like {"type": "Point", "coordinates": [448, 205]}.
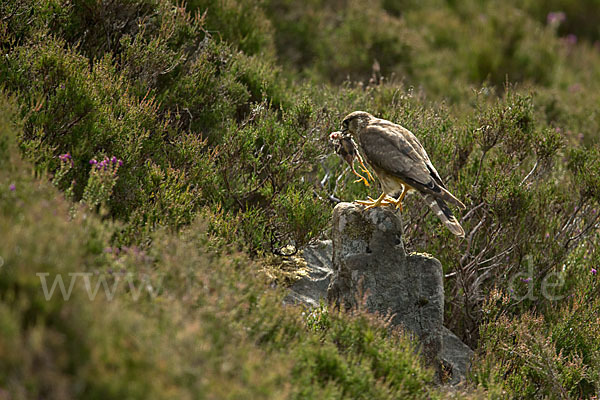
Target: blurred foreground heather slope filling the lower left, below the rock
{"type": "Point", "coordinates": [174, 319]}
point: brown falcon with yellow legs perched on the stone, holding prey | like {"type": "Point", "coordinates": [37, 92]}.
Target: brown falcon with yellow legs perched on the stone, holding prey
{"type": "Point", "coordinates": [401, 164]}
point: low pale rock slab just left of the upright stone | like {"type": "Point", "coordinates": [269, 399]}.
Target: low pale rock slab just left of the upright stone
{"type": "Point", "coordinates": [312, 288]}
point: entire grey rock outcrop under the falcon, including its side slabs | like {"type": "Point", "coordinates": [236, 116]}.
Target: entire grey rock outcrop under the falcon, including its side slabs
{"type": "Point", "coordinates": [366, 259]}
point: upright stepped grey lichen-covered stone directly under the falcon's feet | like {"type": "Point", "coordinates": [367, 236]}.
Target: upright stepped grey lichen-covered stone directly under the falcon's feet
{"type": "Point", "coordinates": [369, 258]}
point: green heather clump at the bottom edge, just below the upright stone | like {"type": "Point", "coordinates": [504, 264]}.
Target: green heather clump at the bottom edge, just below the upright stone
{"type": "Point", "coordinates": [364, 336]}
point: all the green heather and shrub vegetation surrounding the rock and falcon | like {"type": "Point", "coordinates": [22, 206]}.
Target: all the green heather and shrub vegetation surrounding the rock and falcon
{"type": "Point", "coordinates": [208, 122]}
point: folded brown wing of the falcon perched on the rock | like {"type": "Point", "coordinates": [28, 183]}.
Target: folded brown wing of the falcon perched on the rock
{"type": "Point", "coordinates": [397, 151]}
